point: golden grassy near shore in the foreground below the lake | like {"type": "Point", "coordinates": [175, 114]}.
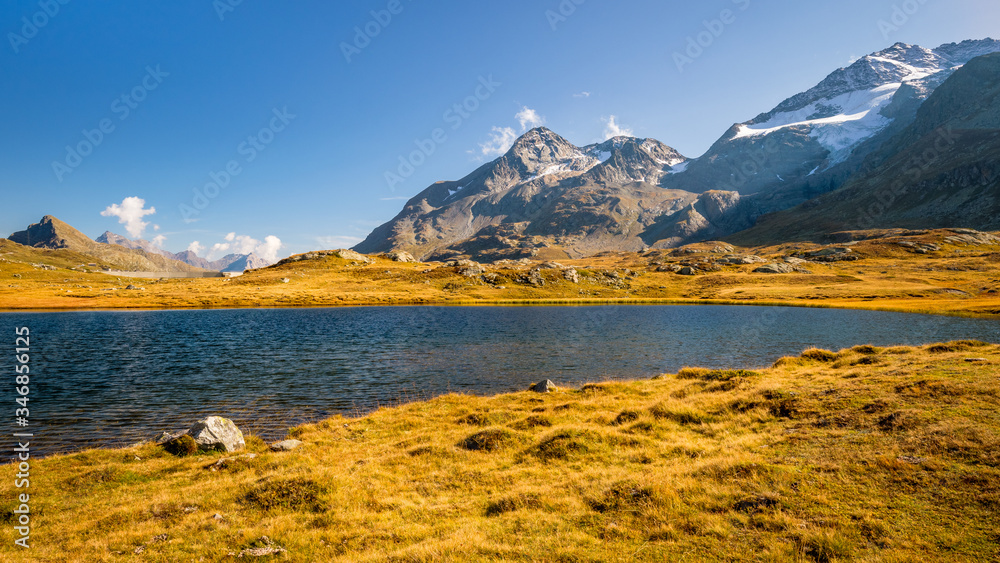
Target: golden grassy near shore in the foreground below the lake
{"type": "Point", "coordinates": [867, 454]}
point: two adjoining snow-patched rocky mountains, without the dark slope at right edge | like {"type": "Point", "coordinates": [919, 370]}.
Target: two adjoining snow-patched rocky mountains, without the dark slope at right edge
{"type": "Point", "coordinates": [547, 197]}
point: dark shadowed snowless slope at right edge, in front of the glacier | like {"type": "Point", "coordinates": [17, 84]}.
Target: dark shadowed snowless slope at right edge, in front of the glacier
{"type": "Point", "coordinates": [941, 171]}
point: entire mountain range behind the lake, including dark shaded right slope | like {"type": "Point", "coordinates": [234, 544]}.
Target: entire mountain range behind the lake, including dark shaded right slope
{"type": "Point", "coordinates": [851, 135]}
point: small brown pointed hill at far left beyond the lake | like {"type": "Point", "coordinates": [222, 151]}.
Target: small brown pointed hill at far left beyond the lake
{"type": "Point", "coordinates": [51, 233]}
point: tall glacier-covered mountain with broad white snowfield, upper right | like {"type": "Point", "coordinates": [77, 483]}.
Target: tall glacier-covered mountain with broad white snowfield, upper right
{"type": "Point", "coordinates": [812, 142]}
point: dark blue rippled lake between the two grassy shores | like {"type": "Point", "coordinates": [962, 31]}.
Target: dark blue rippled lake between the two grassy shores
{"type": "Point", "coordinates": [114, 378]}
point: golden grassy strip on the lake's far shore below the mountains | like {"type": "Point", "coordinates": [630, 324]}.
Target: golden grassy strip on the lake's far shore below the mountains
{"type": "Point", "coordinates": [954, 278]}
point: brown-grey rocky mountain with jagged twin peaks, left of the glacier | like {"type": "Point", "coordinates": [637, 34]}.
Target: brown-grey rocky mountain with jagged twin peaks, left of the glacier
{"type": "Point", "coordinates": [546, 193]}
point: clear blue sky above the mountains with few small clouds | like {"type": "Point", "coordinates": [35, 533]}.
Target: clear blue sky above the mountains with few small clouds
{"type": "Point", "coordinates": [161, 97]}
